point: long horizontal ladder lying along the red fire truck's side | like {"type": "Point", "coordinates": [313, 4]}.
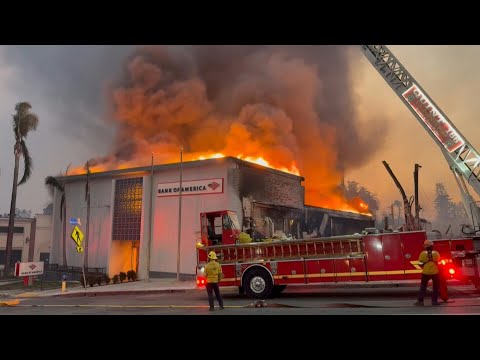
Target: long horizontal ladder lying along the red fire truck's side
{"type": "Point", "coordinates": [339, 247]}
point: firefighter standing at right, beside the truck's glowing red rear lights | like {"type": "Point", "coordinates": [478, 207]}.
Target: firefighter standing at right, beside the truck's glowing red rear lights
{"type": "Point", "coordinates": [428, 260]}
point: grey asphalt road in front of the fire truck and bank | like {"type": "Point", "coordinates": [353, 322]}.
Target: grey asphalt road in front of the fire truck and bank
{"type": "Point", "coordinates": [296, 300]}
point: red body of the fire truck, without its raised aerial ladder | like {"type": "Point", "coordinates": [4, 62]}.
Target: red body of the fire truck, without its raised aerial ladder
{"type": "Point", "coordinates": [263, 269]}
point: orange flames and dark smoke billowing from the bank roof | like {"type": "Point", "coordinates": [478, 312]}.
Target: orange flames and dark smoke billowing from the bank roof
{"type": "Point", "coordinates": [286, 108]}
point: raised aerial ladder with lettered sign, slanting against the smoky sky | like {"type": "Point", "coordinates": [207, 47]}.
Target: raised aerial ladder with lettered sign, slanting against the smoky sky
{"type": "Point", "coordinates": [463, 159]}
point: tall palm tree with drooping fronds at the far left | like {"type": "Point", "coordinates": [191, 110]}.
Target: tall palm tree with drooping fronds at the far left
{"type": "Point", "coordinates": [23, 122]}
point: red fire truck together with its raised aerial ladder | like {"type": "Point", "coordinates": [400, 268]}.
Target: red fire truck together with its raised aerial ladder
{"type": "Point", "coordinates": [263, 269]}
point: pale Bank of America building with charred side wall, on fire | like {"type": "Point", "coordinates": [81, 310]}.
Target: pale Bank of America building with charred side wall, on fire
{"type": "Point", "coordinates": [135, 213]}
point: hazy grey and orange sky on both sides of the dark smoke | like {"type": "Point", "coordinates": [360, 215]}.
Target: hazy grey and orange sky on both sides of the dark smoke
{"type": "Point", "coordinates": [70, 89]}
